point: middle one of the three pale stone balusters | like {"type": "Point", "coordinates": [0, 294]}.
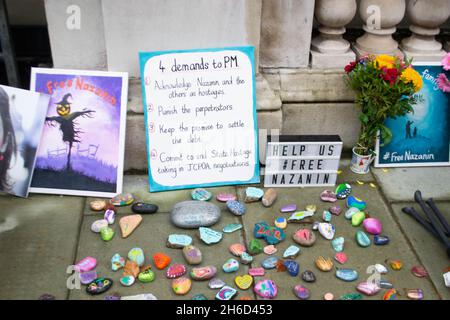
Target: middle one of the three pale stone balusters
{"type": "Point", "coordinates": [380, 18]}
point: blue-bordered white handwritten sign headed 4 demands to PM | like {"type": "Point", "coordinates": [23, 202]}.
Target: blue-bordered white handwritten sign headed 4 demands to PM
{"type": "Point", "coordinates": [200, 117]}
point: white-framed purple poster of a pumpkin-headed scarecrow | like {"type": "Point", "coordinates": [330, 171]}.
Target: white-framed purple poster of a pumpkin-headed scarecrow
{"type": "Point", "coordinates": [82, 145]}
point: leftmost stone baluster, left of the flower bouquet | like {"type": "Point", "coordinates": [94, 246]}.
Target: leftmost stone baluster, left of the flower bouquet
{"type": "Point", "coordinates": [330, 49]}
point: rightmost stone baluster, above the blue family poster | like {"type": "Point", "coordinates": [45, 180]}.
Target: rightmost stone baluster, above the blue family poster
{"type": "Point", "coordinates": [425, 17]}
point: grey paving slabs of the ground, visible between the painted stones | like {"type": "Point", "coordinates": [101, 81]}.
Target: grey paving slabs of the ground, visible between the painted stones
{"type": "Point", "coordinates": [43, 235]}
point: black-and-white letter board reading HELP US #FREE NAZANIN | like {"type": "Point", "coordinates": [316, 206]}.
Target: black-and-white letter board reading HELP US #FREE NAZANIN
{"type": "Point", "coordinates": [301, 161]}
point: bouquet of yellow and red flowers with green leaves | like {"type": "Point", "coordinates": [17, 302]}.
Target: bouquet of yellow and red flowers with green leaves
{"type": "Point", "coordinates": [385, 87]}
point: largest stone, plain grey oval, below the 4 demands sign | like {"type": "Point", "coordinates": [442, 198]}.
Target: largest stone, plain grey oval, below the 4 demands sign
{"type": "Point", "coordinates": [194, 214]}
